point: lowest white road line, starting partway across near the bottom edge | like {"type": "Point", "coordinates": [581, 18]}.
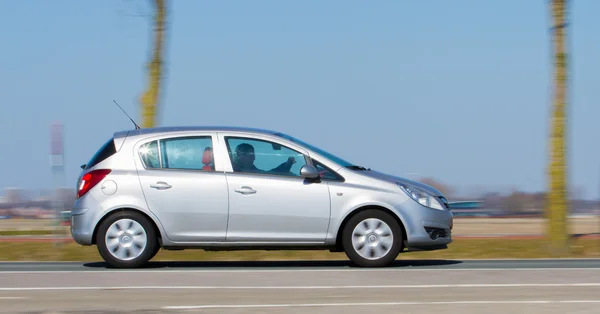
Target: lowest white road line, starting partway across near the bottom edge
{"type": "Point", "coordinates": [216, 306]}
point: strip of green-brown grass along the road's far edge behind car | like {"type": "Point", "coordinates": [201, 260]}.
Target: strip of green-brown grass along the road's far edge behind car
{"type": "Point", "coordinates": [459, 249]}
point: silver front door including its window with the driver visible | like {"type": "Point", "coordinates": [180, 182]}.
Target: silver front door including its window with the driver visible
{"type": "Point", "coordinates": [268, 200]}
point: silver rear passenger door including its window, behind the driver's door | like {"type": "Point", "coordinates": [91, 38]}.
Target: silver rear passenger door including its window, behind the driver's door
{"type": "Point", "coordinates": [182, 188]}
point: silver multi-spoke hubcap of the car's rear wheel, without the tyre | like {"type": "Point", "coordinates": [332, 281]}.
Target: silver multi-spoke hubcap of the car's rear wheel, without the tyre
{"type": "Point", "coordinates": [126, 239]}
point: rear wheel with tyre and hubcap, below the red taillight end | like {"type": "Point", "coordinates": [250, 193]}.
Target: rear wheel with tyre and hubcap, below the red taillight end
{"type": "Point", "coordinates": [126, 232]}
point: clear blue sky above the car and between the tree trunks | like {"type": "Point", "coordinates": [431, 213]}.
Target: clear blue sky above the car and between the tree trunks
{"type": "Point", "coordinates": [456, 90]}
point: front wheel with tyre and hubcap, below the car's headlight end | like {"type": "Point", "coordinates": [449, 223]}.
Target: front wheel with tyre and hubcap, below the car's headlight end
{"type": "Point", "coordinates": [375, 229]}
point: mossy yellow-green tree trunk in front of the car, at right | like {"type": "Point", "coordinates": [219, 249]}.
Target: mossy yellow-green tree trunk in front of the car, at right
{"type": "Point", "coordinates": [557, 205]}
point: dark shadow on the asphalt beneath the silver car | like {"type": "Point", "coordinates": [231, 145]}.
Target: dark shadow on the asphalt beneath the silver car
{"type": "Point", "coordinates": [276, 264]}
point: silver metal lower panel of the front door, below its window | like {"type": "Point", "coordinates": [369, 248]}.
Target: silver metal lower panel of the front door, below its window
{"type": "Point", "coordinates": [283, 210]}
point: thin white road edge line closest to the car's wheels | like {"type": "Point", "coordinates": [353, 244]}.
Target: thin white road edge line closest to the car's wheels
{"type": "Point", "coordinates": [209, 270]}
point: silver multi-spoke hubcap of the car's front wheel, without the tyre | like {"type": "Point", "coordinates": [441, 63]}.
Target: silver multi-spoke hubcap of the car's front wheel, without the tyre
{"type": "Point", "coordinates": [372, 238]}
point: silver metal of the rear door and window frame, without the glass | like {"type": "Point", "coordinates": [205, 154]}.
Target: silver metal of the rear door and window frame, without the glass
{"type": "Point", "coordinates": [195, 208]}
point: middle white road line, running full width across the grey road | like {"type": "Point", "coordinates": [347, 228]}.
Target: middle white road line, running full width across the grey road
{"type": "Point", "coordinates": [517, 285]}
